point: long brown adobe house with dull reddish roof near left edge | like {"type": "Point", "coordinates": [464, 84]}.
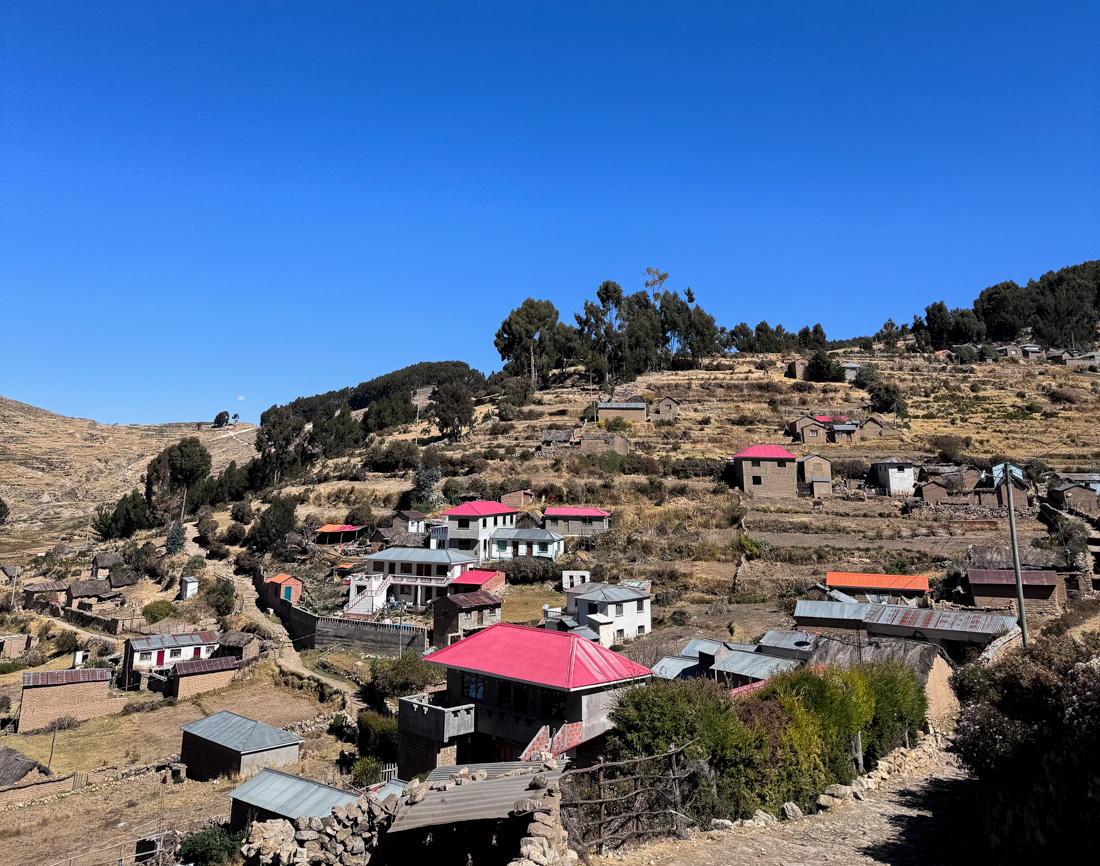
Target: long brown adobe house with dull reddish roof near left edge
{"type": "Point", "coordinates": [81, 695]}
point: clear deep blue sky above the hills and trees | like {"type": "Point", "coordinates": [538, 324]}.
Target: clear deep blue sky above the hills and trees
{"type": "Point", "coordinates": [211, 205]}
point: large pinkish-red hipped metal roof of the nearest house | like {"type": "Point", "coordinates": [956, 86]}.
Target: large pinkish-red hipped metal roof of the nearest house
{"type": "Point", "coordinates": [540, 657]}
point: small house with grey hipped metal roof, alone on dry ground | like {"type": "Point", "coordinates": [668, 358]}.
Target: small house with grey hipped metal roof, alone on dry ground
{"type": "Point", "coordinates": [227, 744]}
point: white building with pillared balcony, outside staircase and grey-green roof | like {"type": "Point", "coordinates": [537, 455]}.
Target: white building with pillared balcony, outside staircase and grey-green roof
{"type": "Point", "coordinates": [413, 575]}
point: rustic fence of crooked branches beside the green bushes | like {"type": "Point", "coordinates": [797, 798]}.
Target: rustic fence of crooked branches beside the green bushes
{"type": "Point", "coordinates": [617, 803]}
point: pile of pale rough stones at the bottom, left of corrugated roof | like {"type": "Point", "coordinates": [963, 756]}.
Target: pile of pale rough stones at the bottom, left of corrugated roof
{"type": "Point", "coordinates": [348, 837]}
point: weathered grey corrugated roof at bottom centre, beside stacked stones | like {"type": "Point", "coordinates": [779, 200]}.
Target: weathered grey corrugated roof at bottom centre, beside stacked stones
{"type": "Point", "coordinates": [491, 798]}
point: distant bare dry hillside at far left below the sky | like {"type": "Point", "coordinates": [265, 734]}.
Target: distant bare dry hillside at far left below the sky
{"type": "Point", "coordinates": [56, 470]}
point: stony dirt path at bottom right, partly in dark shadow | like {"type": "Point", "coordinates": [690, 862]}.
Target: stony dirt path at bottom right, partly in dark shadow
{"type": "Point", "coordinates": [909, 820]}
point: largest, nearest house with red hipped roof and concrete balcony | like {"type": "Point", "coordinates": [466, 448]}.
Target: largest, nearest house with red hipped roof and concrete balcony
{"type": "Point", "coordinates": [510, 688]}
